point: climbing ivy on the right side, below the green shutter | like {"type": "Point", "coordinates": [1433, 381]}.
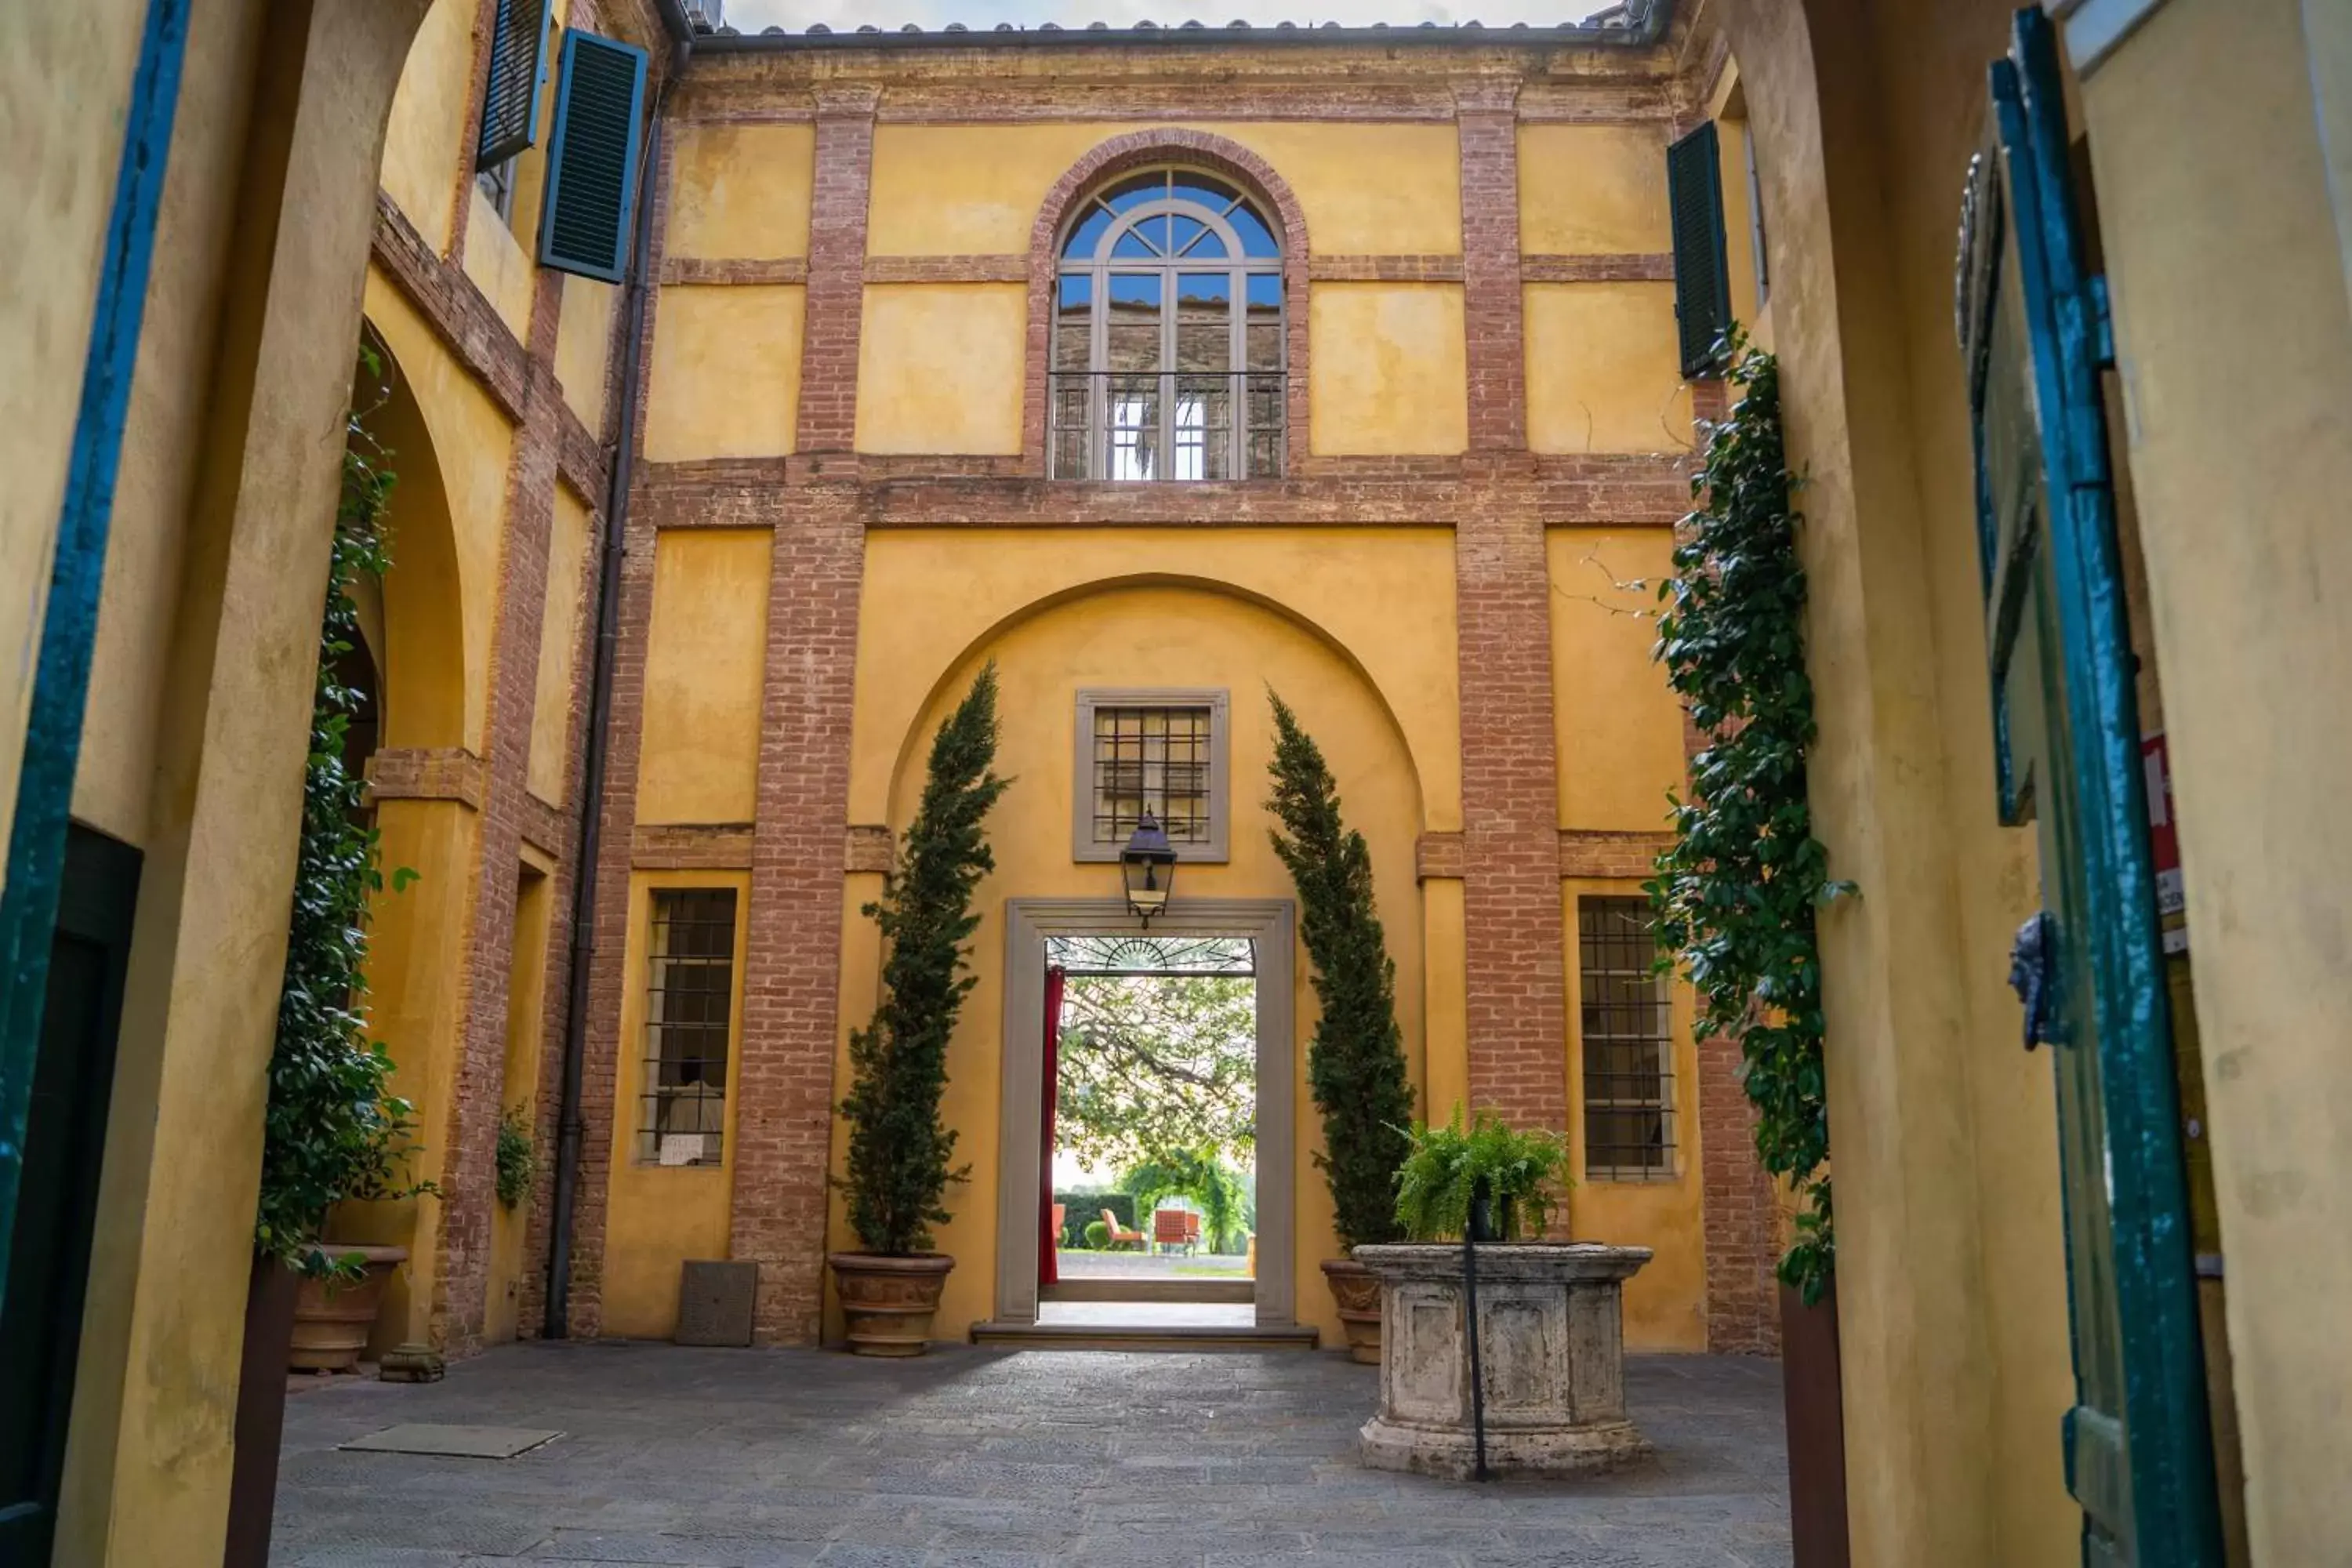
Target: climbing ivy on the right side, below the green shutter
{"type": "Point", "coordinates": [1739, 890]}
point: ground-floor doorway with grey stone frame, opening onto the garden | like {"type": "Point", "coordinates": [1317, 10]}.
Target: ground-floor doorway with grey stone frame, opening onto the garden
{"type": "Point", "coordinates": [1116, 970]}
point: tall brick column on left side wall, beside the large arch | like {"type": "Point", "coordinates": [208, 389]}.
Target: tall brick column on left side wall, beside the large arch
{"type": "Point", "coordinates": [469, 1137]}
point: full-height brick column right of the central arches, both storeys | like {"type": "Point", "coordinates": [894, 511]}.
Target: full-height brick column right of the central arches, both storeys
{"type": "Point", "coordinates": [1511, 791]}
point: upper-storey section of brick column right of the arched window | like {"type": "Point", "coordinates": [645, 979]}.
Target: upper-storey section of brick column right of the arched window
{"type": "Point", "coordinates": [1492, 307]}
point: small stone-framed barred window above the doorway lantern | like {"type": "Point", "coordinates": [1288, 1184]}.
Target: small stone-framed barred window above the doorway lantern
{"type": "Point", "coordinates": [1151, 751]}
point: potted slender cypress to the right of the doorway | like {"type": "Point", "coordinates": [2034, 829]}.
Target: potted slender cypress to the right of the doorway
{"type": "Point", "coordinates": [1356, 1061]}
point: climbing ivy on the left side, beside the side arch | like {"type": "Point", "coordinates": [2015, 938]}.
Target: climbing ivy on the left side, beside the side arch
{"type": "Point", "coordinates": [335, 1130]}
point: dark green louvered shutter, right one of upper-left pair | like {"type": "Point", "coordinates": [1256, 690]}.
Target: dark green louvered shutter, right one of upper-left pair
{"type": "Point", "coordinates": [594, 159]}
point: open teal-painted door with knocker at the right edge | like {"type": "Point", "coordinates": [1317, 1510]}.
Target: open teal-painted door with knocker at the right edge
{"type": "Point", "coordinates": [2069, 742]}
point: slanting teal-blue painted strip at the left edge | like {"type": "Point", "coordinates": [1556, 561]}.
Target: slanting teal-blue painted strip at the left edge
{"type": "Point", "coordinates": [53, 744]}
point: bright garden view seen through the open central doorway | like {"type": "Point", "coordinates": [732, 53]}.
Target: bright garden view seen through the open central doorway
{"type": "Point", "coordinates": [1151, 1132]}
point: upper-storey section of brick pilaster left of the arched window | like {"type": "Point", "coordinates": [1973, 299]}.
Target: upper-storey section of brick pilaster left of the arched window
{"type": "Point", "coordinates": [836, 307]}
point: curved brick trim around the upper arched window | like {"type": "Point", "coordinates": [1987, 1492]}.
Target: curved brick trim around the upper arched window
{"type": "Point", "coordinates": [1203, 152]}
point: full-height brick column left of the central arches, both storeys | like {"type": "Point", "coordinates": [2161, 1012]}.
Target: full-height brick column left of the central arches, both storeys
{"type": "Point", "coordinates": [791, 984]}
